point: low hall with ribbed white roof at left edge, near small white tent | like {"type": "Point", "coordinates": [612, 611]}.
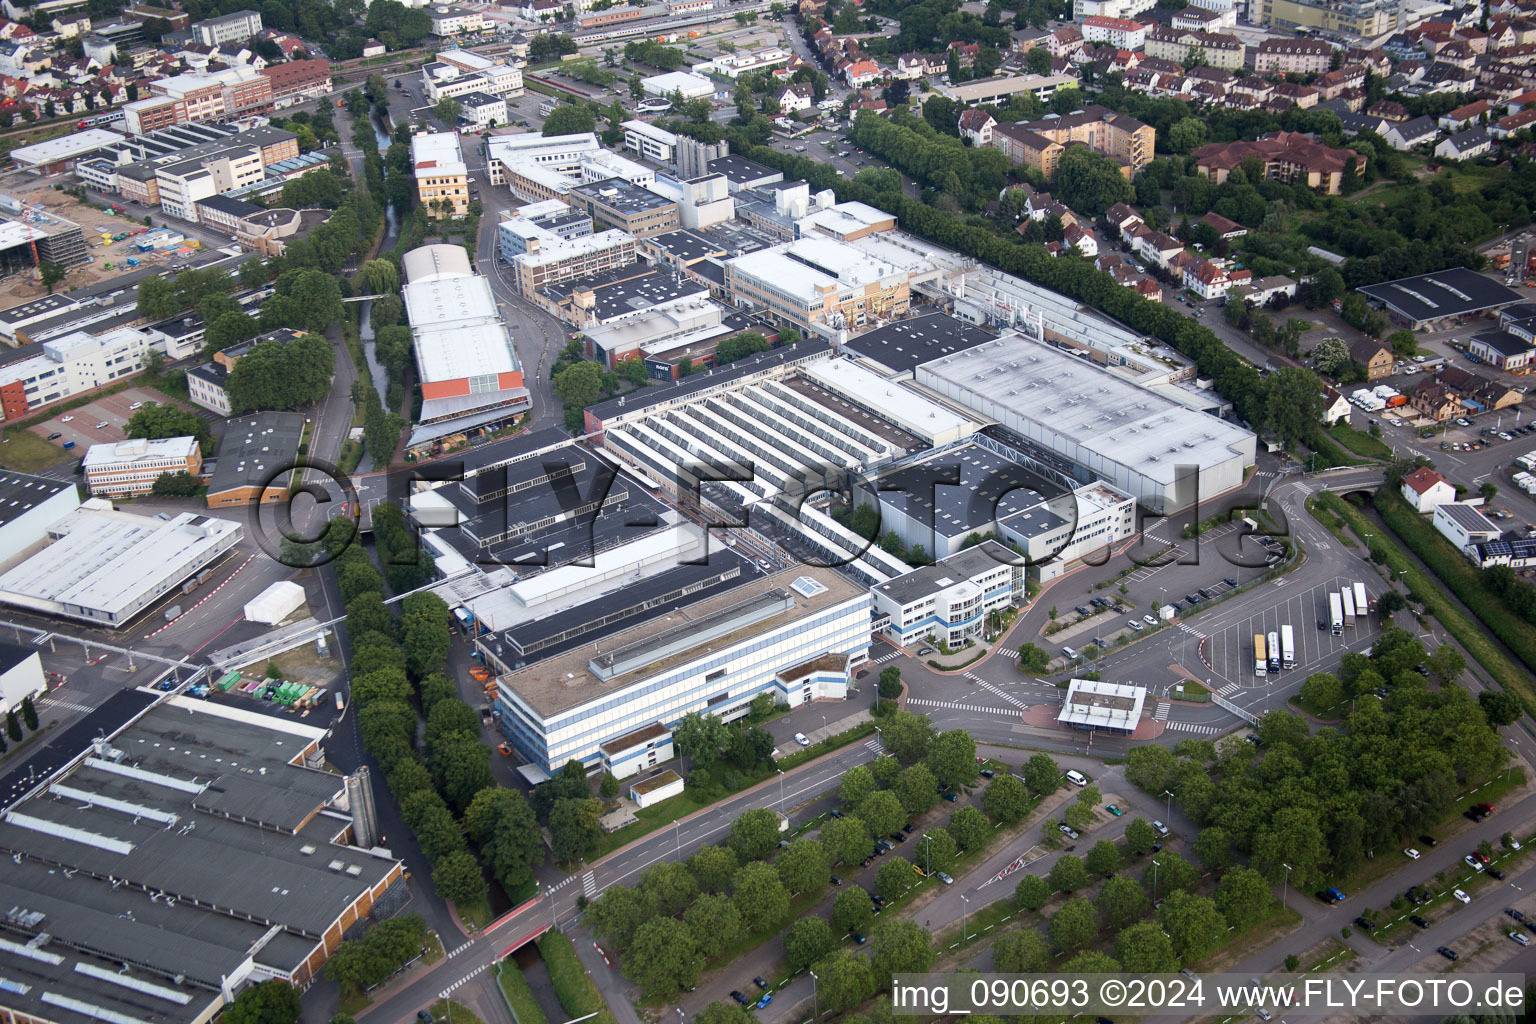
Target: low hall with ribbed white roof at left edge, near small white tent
{"type": "Point", "coordinates": [107, 567]}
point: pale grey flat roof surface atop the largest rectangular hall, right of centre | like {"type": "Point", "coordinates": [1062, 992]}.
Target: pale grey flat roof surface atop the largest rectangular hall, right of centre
{"type": "Point", "coordinates": [1088, 408]}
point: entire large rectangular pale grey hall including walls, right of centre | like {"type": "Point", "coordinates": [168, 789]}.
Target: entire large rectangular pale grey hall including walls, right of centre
{"type": "Point", "coordinates": [1096, 424]}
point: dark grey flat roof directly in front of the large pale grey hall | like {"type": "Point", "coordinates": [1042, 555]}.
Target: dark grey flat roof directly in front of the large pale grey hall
{"type": "Point", "coordinates": [962, 491]}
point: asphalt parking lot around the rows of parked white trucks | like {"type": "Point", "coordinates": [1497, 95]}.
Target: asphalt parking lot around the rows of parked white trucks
{"type": "Point", "coordinates": [1226, 646]}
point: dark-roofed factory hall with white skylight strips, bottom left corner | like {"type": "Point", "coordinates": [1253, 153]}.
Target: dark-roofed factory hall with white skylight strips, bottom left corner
{"type": "Point", "coordinates": [180, 857]}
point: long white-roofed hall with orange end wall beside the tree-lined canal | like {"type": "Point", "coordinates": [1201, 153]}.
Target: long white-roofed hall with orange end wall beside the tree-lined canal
{"type": "Point", "coordinates": [471, 378]}
